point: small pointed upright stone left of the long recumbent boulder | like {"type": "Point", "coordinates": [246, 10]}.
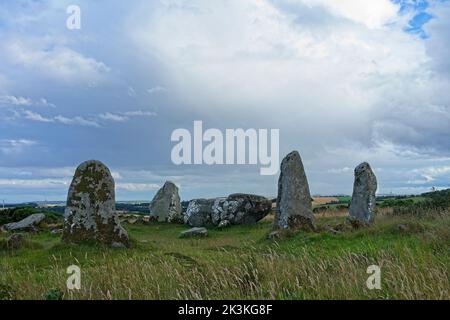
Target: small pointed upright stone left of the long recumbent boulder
{"type": "Point", "coordinates": [166, 205]}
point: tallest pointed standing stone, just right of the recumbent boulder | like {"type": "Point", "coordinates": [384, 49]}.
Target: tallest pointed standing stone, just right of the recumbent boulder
{"type": "Point", "coordinates": [294, 208]}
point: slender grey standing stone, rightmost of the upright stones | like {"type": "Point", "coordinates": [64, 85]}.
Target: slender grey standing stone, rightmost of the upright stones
{"type": "Point", "coordinates": [362, 206]}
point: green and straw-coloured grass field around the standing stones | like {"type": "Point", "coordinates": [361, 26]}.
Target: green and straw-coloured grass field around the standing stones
{"type": "Point", "coordinates": [239, 263]}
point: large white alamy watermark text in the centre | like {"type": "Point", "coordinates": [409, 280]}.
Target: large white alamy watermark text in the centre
{"type": "Point", "coordinates": [236, 146]}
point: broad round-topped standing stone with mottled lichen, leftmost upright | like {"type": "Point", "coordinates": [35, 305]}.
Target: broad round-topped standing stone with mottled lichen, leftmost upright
{"type": "Point", "coordinates": [90, 213]}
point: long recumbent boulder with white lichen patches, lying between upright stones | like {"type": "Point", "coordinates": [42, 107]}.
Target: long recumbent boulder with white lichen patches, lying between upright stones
{"type": "Point", "coordinates": [235, 209]}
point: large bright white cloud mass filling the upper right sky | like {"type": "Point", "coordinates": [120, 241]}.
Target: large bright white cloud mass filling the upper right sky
{"type": "Point", "coordinates": [333, 79]}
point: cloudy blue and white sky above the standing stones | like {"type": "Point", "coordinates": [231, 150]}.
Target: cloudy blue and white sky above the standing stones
{"type": "Point", "coordinates": [345, 81]}
